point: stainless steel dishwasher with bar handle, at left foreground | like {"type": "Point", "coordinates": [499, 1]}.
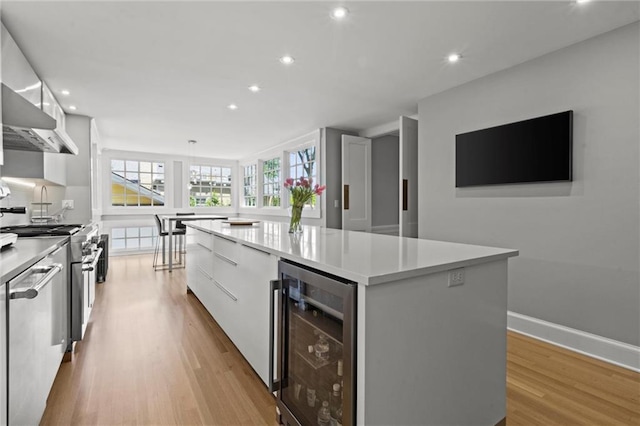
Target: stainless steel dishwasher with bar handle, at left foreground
{"type": "Point", "coordinates": [38, 334]}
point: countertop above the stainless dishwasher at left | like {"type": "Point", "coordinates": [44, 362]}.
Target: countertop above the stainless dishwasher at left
{"type": "Point", "coordinates": [25, 252]}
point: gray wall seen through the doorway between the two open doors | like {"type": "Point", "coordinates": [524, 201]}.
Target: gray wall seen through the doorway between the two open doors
{"type": "Point", "coordinates": [385, 166]}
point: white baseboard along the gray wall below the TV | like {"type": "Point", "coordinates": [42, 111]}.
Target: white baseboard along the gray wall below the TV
{"type": "Point", "coordinates": [602, 348]}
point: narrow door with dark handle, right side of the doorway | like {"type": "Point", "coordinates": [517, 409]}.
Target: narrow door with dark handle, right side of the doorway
{"type": "Point", "coordinates": [408, 177]}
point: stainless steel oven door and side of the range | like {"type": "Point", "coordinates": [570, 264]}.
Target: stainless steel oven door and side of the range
{"type": "Point", "coordinates": [83, 286]}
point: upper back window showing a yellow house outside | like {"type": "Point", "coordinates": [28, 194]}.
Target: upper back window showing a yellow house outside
{"type": "Point", "coordinates": [137, 183]}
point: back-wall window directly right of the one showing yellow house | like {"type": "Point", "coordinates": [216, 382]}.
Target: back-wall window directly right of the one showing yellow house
{"type": "Point", "coordinates": [209, 186]}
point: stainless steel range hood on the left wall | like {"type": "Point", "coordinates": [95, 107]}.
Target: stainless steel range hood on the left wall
{"type": "Point", "coordinates": [25, 127]}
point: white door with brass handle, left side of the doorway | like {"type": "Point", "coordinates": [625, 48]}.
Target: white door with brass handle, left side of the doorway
{"type": "Point", "coordinates": [356, 183]}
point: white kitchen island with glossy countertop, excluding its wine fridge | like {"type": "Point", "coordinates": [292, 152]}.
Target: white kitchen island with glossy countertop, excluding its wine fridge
{"type": "Point", "coordinates": [427, 352]}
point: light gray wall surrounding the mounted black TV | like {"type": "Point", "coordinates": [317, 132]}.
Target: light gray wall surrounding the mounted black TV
{"type": "Point", "coordinates": [578, 241]}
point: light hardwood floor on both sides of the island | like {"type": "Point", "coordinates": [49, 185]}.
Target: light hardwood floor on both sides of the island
{"type": "Point", "coordinates": [152, 355]}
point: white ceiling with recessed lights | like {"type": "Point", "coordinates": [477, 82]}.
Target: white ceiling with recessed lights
{"type": "Point", "coordinates": [155, 74]}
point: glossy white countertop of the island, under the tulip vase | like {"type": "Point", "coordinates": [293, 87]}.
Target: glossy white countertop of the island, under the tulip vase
{"type": "Point", "coordinates": [358, 256]}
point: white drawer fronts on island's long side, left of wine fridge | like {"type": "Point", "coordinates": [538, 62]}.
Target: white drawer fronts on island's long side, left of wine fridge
{"type": "Point", "coordinates": [232, 282]}
